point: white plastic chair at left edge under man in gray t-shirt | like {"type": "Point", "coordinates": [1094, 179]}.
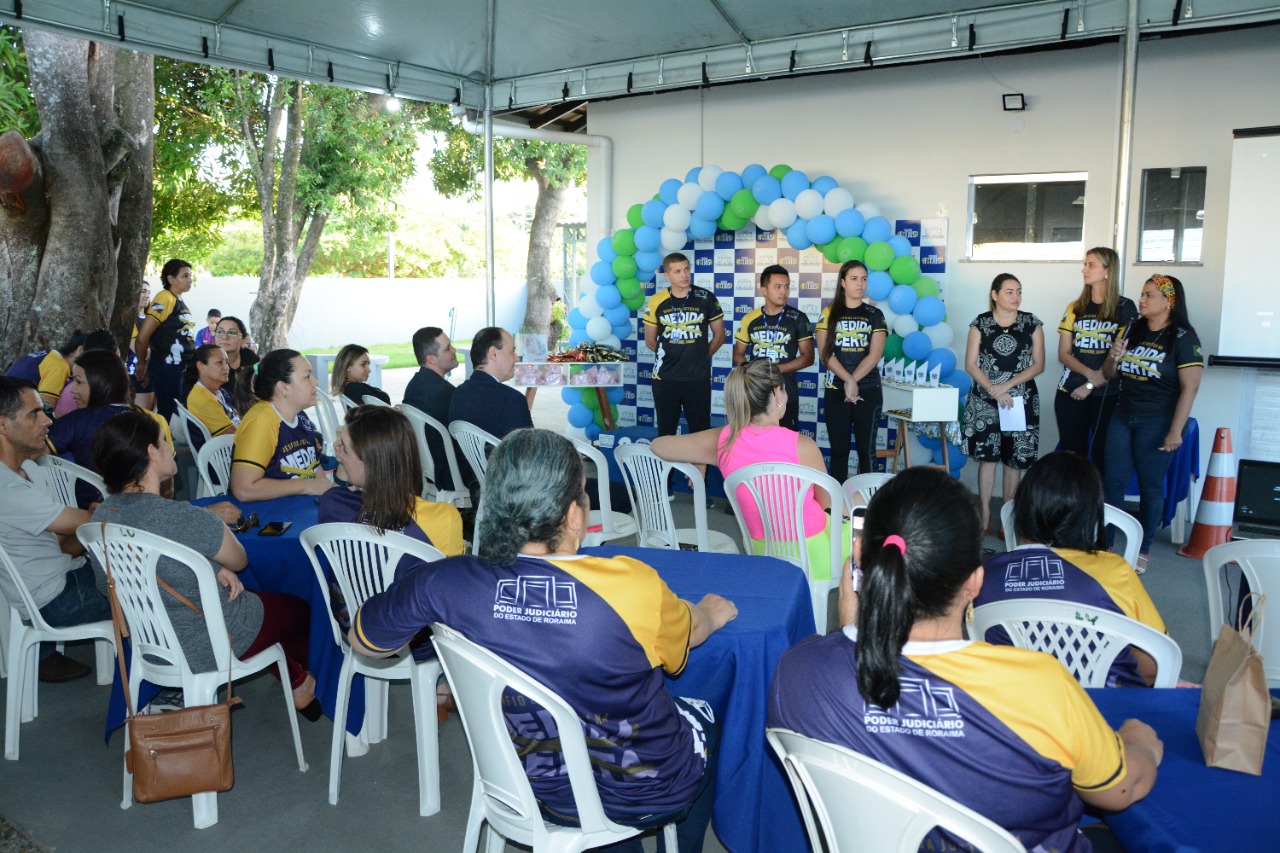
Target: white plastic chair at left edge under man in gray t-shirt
{"type": "Point", "coordinates": [22, 653]}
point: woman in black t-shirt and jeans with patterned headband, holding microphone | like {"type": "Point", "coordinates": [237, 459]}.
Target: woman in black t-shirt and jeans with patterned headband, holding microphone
{"type": "Point", "coordinates": [1160, 366]}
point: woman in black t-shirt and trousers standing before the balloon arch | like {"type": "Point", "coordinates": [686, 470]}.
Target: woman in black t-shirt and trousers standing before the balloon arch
{"type": "Point", "coordinates": [851, 344]}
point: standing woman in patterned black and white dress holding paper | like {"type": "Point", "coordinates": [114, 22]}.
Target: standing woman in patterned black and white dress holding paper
{"type": "Point", "coordinates": [1005, 354]}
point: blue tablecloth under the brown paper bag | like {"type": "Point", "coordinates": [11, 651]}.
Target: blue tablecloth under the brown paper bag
{"type": "Point", "coordinates": [1192, 808]}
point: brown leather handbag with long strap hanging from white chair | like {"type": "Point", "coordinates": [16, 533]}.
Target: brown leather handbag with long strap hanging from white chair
{"type": "Point", "coordinates": [173, 754]}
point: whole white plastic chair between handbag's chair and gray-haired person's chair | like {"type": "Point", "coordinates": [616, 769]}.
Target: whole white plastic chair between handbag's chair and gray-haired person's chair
{"type": "Point", "coordinates": [364, 563]}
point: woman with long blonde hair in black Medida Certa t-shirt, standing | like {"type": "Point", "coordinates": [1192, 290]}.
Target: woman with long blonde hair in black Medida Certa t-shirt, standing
{"type": "Point", "coordinates": [1085, 400]}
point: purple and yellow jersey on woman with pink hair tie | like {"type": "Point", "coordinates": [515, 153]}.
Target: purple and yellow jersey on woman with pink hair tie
{"type": "Point", "coordinates": [1007, 732]}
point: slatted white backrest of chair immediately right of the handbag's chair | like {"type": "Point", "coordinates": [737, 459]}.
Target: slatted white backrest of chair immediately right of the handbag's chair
{"type": "Point", "coordinates": [363, 560]}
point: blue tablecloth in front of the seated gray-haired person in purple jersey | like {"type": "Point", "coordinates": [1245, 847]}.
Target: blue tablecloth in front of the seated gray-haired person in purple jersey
{"type": "Point", "coordinates": [733, 672]}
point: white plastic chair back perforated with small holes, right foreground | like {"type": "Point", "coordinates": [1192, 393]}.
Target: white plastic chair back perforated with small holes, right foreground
{"type": "Point", "coordinates": [1086, 640]}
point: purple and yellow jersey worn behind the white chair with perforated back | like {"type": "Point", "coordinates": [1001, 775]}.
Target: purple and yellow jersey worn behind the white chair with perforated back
{"type": "Point", "coordinates": [1100, 580]}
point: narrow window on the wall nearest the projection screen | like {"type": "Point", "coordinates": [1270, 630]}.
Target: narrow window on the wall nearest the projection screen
{"type": "Point", "coordinates": [1173, 216]}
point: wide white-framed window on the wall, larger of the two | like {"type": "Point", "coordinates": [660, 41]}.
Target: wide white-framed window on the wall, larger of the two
{"type": "Point", "coordinates": [1027, 217]}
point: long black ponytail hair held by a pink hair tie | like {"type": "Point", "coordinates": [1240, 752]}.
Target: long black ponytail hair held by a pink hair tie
{"type": "Point", "coordinates": [938, 518]}
